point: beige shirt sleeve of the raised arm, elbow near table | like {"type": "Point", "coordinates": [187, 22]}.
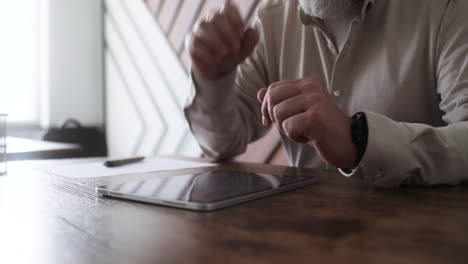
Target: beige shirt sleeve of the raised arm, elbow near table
{"type": "Point", "coordinates": [224, 115]}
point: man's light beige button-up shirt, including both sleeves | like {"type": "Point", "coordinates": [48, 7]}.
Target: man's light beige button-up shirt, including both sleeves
{"type": "Point", "coordinates": [404, 63]}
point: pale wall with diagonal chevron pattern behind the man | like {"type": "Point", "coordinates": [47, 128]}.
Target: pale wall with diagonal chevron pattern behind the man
{"type": "Point", "coordinates": [147, 69]}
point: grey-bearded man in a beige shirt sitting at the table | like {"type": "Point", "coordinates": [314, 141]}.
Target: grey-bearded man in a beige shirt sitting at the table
{"type": "Point", "coordinates": [377, 88]}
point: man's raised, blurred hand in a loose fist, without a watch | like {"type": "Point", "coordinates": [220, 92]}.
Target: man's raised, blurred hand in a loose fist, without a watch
{"type": "Point", "coordinates": [219, 43]}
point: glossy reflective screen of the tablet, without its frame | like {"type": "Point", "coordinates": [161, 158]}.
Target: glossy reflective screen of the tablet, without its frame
{"type": "Point", "coordinates": [206, 187]}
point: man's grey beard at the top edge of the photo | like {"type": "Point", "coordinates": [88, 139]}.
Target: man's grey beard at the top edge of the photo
{"type": "Point", "coordinates": [324, 9]}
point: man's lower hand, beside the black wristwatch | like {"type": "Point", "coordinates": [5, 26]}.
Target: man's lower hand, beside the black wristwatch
{"type": "Point", "coordinates": [304, 111]}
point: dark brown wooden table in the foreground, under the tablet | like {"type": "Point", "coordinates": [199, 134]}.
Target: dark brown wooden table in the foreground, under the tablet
{"type": "Point", "coordinates": [48, 219]}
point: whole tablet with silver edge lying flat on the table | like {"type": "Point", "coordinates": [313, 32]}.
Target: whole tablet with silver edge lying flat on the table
{"type": "Point", "coordinates": [205, 191]}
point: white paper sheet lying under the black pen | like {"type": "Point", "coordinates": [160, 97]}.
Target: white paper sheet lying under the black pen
{"type": "Point", "coordinates": [97, 169]}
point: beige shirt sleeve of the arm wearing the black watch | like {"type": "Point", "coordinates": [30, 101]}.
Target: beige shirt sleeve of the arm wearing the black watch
{"type": "Point", "coordinates": [417, 154]}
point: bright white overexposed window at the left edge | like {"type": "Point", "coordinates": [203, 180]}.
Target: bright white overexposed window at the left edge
{"type": "Point", "coordinates": [19, 70]}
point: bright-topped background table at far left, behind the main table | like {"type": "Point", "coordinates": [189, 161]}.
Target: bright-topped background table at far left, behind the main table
{"type": "Point", "coordinates": [24, 149]}
